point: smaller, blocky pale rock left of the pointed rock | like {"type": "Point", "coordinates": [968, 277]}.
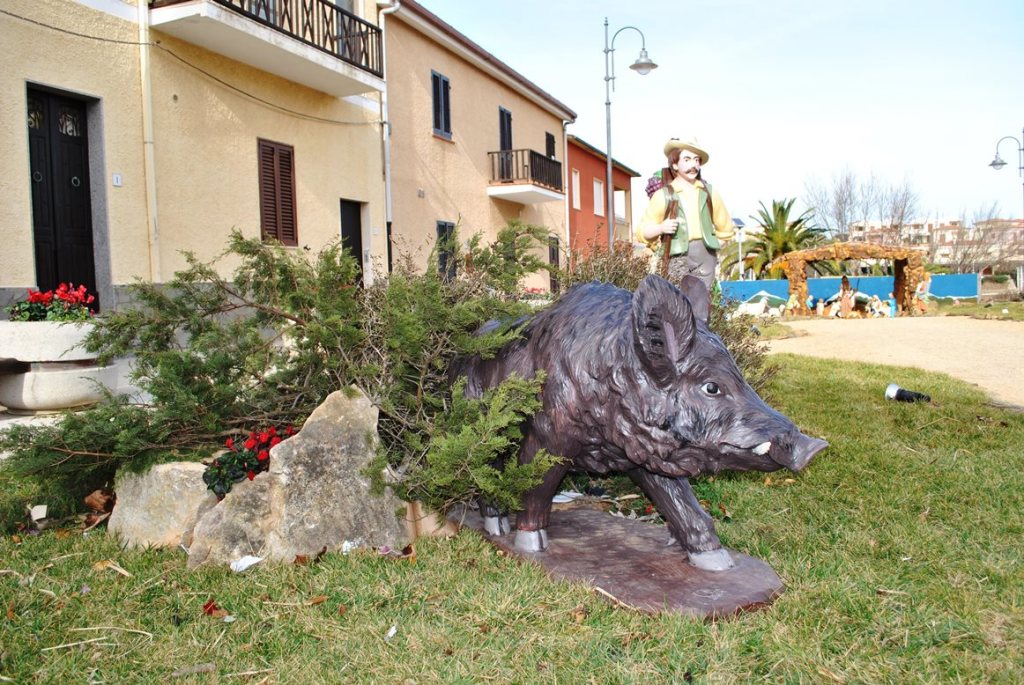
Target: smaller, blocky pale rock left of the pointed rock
{"type": "Point", "coordinates": [160, 508]}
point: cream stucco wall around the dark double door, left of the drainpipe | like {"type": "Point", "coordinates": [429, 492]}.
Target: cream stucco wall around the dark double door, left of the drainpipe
{"type": "Point", "coordinates": [104, 73]}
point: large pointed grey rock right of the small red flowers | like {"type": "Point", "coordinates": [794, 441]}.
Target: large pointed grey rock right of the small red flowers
{"type": "Point", "coordinates": [314, 497]}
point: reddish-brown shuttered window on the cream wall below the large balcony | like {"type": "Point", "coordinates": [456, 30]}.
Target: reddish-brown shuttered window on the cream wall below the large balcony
{"type": "Point", "coordinates": [277, 193]}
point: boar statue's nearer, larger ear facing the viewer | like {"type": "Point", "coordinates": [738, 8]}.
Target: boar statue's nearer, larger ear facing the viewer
{"type": "Point", "coordinates": [664, 327]}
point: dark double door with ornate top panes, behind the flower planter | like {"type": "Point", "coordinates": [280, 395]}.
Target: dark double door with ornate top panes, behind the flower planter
{"type": "Point", "coordinates": [62, 213]}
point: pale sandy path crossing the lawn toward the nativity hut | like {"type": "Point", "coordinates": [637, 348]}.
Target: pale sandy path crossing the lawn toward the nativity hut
{"type": "Point", "coordinates": [987, 353]}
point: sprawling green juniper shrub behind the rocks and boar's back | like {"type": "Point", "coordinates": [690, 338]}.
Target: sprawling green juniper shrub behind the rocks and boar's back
{"type": "Point", "coordinates": [217, 357]}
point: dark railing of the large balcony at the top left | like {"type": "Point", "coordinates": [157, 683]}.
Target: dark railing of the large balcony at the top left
{"type": "Point", "coordinates": [320, 24]}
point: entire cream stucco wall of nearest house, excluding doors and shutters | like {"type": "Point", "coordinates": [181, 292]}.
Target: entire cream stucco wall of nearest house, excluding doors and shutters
{"type": "Point", "coordinates": [204, 143]}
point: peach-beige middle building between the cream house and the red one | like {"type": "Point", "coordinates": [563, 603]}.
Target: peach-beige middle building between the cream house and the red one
{"type": "Point", "coordinates": [473, 143]}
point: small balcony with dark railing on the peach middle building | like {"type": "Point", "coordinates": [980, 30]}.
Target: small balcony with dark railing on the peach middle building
{"type": "Point", "coordinates": [525, 177]}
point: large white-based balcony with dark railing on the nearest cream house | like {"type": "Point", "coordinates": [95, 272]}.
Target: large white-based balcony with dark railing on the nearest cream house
{"type": "Point", "coordinates": [312, 42]}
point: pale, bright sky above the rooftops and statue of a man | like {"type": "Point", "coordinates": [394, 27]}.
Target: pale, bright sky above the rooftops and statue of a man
{"type": "Point", "coordinates": [784, 92]}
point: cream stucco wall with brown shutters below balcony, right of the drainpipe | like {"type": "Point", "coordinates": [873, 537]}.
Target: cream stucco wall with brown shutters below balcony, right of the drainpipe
{"type": "Point", "coordinates": [206, 145]}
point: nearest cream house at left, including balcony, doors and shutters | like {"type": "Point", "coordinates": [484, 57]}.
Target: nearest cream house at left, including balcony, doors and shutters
{"type": "Point", "coordinates": [136, 131]}
